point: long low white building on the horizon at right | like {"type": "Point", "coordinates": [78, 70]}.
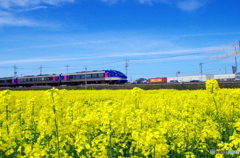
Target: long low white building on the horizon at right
{"type": "Point", "coordinates": [222, 77]}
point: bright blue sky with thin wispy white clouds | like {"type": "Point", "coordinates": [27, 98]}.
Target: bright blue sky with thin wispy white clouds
{"type": "Point", "coordinates": [157, 37]}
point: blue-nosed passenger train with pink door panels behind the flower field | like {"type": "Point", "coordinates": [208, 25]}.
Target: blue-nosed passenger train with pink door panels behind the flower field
{"type": "Point", "coordinates": [70, 79]}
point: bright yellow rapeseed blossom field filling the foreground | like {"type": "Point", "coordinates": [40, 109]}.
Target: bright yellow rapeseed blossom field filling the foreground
{"type": "Point", "coordinates": [120, 123]}
